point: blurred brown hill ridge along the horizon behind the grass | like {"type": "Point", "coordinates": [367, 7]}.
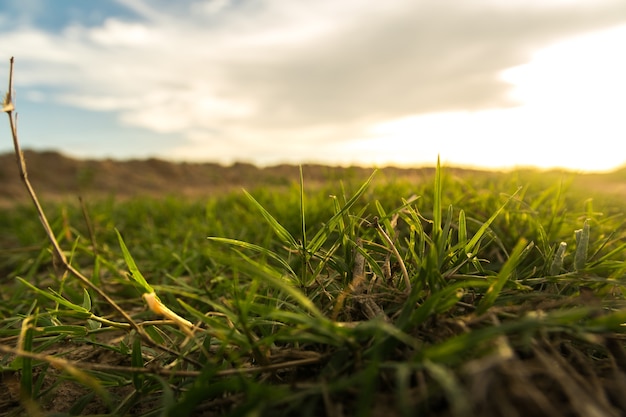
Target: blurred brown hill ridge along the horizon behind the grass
{"type": "Point", "coordinates": [56, 176]}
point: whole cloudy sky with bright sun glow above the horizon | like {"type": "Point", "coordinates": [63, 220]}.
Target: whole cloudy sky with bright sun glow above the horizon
{"type": "Point", "coordinates": [482, 83]}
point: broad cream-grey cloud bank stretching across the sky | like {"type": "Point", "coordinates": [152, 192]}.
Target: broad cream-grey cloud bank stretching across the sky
{"type": "Point", "coordinates": [243, 71]}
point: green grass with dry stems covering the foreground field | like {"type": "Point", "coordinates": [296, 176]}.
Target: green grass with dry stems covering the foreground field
{"type": "Point", "coordinates": [374, 295]}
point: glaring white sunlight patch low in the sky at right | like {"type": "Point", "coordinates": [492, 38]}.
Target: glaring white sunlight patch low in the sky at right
{"type": "Point", "coordinates": [571, 94]}
